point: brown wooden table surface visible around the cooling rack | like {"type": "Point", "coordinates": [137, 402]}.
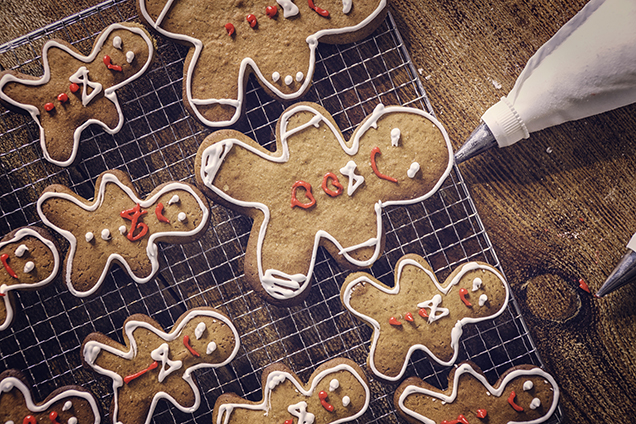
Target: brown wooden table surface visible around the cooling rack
{"type": "Point", "coordinates": [557, 207]}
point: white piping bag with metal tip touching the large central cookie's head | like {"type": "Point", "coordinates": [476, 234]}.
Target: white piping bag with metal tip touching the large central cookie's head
{"type": "Point", "coordinates": [588, 67]}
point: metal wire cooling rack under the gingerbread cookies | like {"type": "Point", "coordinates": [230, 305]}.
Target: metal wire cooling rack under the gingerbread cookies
{"type": "Point", "coordinates": [157, 144]}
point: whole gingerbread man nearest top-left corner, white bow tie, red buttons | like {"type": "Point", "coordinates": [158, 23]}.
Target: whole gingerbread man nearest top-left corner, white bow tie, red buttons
{"type": "Point", "coordinates": [76, 90]}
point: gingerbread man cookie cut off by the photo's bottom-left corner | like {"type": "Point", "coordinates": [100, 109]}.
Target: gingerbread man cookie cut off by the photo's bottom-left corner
{"type": "Point", "coordinates": [69, 404]}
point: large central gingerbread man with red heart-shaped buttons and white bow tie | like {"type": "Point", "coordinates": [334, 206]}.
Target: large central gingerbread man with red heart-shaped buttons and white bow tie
{"type": "Point", "coordinates": [317, 189]}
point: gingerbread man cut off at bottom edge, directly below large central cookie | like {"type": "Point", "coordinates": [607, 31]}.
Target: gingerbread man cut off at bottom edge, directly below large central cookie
{"type": "Point", "coordinates": [337, 392]}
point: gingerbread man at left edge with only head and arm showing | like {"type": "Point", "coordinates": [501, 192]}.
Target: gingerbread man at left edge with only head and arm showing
{"type": "Point", "coordinates": [30, 260]}
